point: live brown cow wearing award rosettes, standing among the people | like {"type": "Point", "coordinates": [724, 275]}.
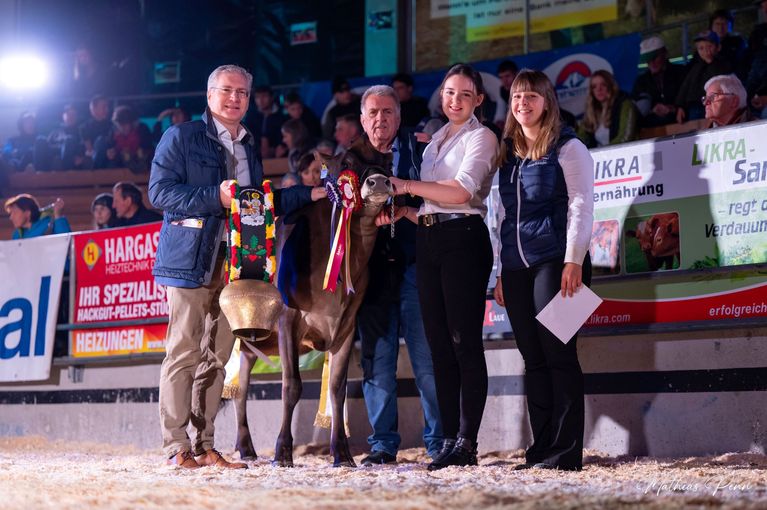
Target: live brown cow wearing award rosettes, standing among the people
{"type": "Point", "coordinates": [322, 320]}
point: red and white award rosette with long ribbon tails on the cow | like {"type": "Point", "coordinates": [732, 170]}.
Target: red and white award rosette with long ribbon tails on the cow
{"type": "Point", "coordinates": [350, 200]}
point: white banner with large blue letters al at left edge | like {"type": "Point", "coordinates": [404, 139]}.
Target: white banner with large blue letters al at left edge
{"type": "Point", "coordinates": [31, 272]}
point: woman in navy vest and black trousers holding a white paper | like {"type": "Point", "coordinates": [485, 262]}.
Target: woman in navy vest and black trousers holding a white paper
{"type": "Point", "coordinates": [546, 183]}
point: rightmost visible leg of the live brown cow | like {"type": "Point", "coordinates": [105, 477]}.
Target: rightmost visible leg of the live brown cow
{"type": "Point", "coordinates": [339, 366]}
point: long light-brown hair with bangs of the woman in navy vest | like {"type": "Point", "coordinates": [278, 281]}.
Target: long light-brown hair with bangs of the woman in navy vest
{"type": "Point", "coordinates": [529, 80]}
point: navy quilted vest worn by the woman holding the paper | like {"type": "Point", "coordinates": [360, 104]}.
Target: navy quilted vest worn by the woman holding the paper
{"type": "Point", "coordinates": [534, 196]}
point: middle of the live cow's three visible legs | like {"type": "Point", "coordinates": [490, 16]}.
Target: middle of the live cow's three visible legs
{"type": "Point", "coordinates": [291, 386]}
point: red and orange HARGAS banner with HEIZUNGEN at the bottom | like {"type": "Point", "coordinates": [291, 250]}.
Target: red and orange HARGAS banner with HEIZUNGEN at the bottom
{"type": "Point", "coordinates": [113, 282]}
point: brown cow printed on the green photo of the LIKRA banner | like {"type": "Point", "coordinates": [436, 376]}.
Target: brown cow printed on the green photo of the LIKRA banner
{"type": "Point", "coordinates": [658, 239]}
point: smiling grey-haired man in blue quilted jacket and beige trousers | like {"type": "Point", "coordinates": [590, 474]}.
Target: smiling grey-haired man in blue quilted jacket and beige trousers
{"type": "Point", "coordinates": [192, 172]}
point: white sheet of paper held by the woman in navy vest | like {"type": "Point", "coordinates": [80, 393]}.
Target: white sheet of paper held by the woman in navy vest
{"type": "Point", "coordinates": [563, 316]}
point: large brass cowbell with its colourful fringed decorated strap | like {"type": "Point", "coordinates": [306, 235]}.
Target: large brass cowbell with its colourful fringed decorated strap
{"type": "Point", "coordinates": [250, 302]}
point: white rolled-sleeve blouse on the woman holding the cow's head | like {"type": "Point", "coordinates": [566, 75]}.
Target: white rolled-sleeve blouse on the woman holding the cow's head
{"type": "Point", "coordinates": [467, 157]}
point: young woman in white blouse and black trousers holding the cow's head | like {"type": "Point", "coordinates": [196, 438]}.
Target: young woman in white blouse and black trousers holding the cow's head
{"type": "Point", "coordinates": [454, 259]}
